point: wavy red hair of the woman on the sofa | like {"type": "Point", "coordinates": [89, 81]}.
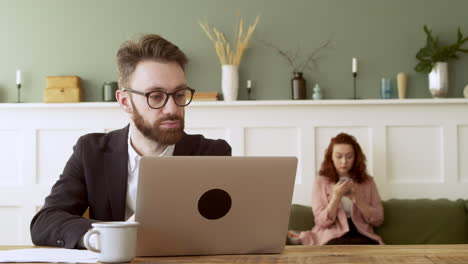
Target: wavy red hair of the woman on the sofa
{"type": "Point", "coordinates": [359, 170]}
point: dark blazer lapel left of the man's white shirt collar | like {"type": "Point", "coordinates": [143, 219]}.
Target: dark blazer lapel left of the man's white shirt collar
{"type": "Point", "coordinates": [115, 161]}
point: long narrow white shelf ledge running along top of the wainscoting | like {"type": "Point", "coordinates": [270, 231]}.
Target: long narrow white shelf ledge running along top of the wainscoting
{"type": "Point", "coordinates": [259, 103]}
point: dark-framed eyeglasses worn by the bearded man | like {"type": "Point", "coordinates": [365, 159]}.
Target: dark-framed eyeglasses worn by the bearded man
{"type": "Point", "coordinates": [158, 99]}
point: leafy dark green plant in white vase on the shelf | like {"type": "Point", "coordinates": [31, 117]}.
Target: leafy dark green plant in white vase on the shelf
{"type": "Point", "coordinates": [433, 60]}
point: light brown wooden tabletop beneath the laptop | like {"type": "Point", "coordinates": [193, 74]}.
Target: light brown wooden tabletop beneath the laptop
{"type": "Point", "coordinates": [402, 254]}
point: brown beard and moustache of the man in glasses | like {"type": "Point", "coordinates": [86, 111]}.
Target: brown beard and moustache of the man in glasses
{"type": "Point", "coordinates": [154, 132]}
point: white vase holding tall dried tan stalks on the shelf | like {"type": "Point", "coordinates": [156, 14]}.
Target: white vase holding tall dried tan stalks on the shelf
{"type": "Point", "coordinates": [229, 55]}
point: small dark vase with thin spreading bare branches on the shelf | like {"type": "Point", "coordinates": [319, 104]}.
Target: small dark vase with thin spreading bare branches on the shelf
{"type": "Point", "coordinates": [298, 66]}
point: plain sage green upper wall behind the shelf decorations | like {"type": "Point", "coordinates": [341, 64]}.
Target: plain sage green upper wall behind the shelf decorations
{"type": "Point", "coordinates": [65, 37]}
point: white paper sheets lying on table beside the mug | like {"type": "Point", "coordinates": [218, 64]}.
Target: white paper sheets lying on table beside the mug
{"type": "Point", "coordinates": [48, 255]}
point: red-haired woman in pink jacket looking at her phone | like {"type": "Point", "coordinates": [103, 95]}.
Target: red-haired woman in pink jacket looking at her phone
{"type": "Point", "coordinates": [345, 200]}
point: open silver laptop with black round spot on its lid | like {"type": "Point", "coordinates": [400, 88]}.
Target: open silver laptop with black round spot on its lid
{"type": "Point", "coordinates": [213, 205]}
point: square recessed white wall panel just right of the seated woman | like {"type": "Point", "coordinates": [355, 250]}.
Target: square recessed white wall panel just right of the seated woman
{"type": "Point", "coordinates": [415, 154]}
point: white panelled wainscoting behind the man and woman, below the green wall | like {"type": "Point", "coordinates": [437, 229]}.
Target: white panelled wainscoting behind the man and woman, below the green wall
{"type": "Point", "coordinates": [415, 148]}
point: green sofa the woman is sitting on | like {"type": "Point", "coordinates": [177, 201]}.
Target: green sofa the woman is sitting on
{"type": "Point", "coordinates": [408, 221]}
